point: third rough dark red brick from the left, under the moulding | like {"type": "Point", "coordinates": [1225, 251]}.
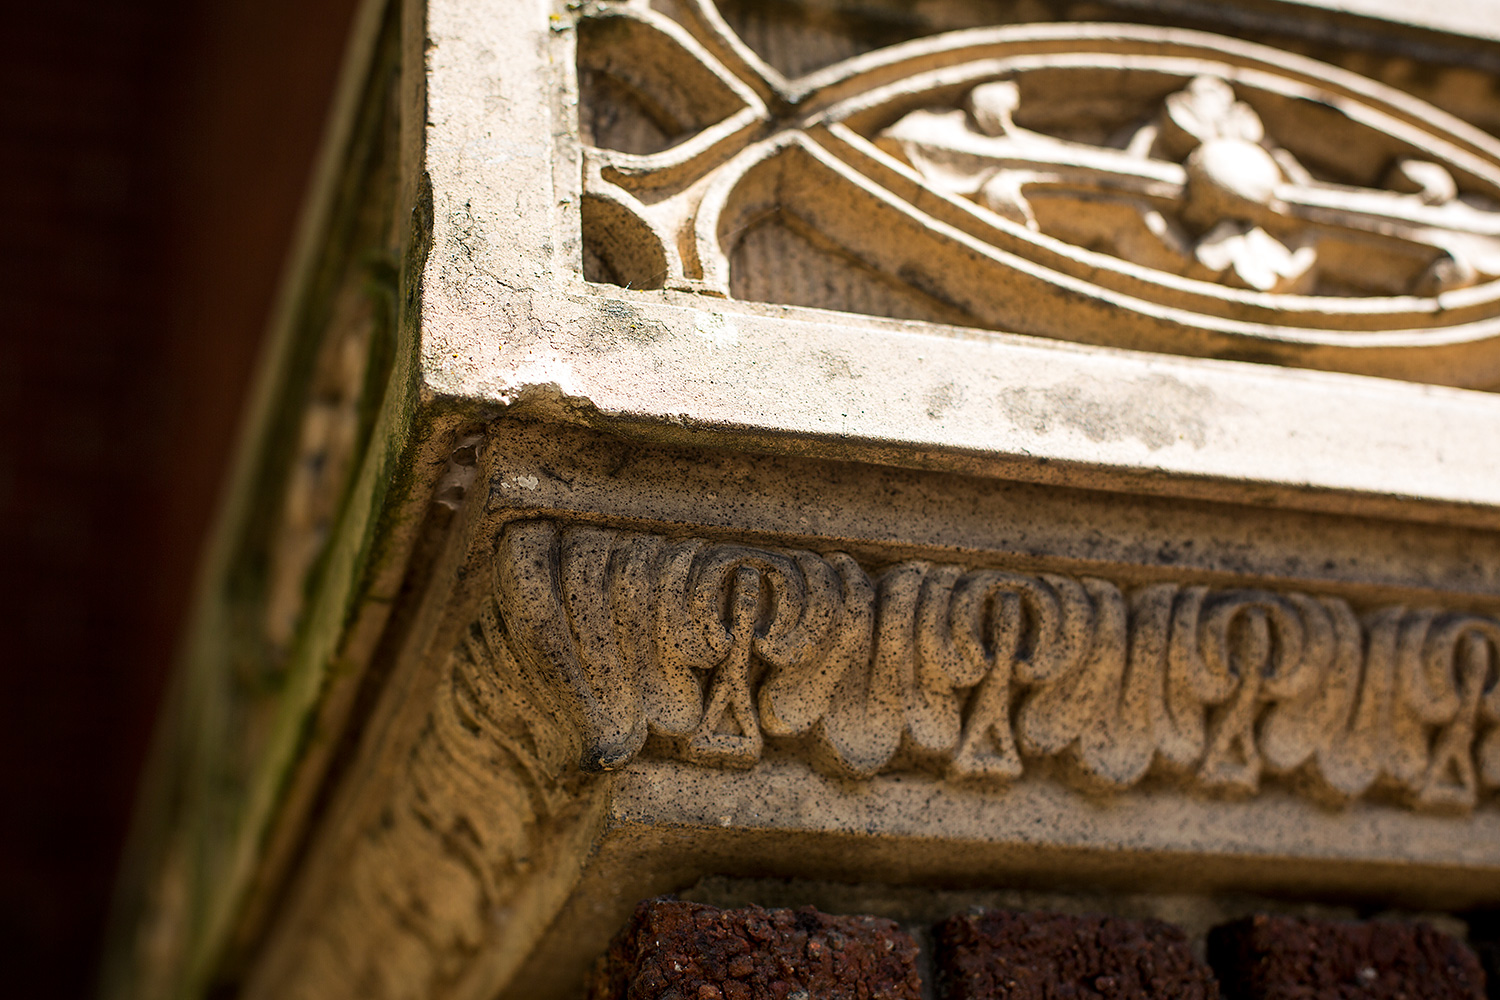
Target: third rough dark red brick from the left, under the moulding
{"type": "Point", "coordinates": [1279, 957]}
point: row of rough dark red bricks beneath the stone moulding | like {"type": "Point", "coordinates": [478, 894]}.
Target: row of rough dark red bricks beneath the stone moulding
{"type": "Point", "coordinates": [688, 951]}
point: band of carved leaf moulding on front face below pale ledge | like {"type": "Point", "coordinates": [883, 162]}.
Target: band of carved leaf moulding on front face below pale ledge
{"type": "Point", "coordinates": [715, 653]}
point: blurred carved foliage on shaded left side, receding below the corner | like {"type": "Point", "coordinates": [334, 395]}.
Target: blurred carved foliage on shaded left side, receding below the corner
{"type": "Point", "coordinates": [485, 798]}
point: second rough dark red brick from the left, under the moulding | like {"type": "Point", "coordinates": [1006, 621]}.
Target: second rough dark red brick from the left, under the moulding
{"type": "Point", "coordinates": [1004, 956]}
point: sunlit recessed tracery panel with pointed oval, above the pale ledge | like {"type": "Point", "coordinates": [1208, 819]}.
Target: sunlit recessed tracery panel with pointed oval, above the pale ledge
{"type": "Point", "coordinates": [1147, 188]}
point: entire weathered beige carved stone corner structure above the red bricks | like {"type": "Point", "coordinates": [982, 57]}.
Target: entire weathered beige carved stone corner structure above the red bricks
{"type": "Point", "coordinates": [652, 567]}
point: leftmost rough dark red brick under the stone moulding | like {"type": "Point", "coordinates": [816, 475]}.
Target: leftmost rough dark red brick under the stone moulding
{"type": "Point", "coordinates": [689, 951]}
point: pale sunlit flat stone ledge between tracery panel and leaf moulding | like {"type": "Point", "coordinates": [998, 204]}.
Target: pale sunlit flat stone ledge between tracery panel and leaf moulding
{"type": "Point", "coordinates": [812, 385]}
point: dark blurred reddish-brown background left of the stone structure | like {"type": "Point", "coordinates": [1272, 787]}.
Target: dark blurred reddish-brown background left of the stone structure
{"type": "Point", "coordinates": [154, 158]}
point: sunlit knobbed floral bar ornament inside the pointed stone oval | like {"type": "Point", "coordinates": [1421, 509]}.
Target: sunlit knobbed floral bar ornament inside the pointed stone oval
{"type": "Point", "coordinates": [1240, 209]}
